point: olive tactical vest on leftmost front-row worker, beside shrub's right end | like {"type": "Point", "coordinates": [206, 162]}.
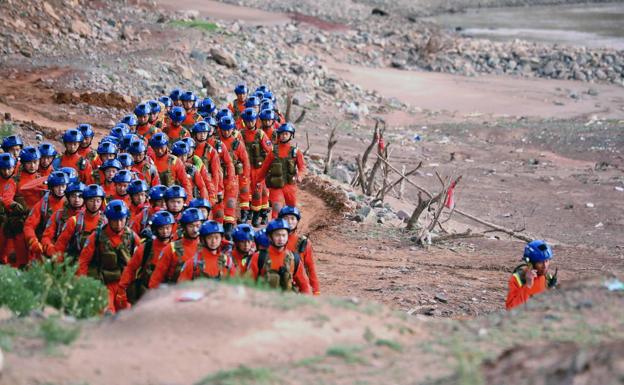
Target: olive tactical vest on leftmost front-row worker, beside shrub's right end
{"type": "Point", "coordinates": [111, 260]}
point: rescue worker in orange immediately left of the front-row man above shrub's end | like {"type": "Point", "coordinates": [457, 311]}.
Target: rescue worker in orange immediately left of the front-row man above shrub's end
{"type": "Point", "coordinates": [78, 228]}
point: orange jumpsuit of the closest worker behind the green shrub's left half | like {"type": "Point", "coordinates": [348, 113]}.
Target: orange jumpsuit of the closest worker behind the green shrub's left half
{"type": "Point", "coordinates": [36, 222]}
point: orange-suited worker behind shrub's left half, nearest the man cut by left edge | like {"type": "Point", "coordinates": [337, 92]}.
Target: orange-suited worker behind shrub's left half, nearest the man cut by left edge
{"type": "Point", "coordinates": [41, 213]}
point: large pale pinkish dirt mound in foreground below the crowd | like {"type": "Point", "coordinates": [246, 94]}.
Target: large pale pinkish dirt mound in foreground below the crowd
{"type": "Point", "coordinates": [166, 341]}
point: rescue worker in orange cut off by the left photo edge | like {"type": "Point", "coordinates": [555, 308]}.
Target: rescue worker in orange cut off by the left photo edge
{"type": "Point", "coordinates": [10, 209]}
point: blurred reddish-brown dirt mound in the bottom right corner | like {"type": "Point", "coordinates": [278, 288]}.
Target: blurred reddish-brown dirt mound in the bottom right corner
{"type": "Point", "coordinates": [558, 363]}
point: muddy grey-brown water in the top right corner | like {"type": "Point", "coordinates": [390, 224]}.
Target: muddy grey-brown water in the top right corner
{"type": "Point", "coordinates": [593, 25]}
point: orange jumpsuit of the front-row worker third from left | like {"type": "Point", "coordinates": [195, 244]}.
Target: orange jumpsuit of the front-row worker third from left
{"type": "Point", "coordinates": [170, 261]}
